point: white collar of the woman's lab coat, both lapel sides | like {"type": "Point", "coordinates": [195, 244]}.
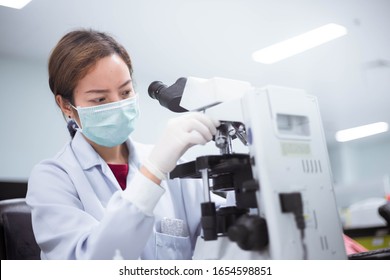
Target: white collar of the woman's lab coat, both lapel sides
{"type": "Point", "coordinates": [88, 157]}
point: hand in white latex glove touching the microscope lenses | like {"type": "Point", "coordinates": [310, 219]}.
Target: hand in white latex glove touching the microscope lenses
{"type": "Point", "coordinates": [180, 134]}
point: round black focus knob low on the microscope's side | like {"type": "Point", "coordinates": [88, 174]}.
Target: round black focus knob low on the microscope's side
{"type": "Point", "coordinates": [250, 233]}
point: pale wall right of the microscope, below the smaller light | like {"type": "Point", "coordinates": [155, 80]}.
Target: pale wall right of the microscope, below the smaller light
{"type": "Point", "coordinates": [360, 169]}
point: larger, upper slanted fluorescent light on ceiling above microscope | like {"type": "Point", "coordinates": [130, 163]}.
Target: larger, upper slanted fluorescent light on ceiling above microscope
{"type": "Point", "coordinates": [299, 44]}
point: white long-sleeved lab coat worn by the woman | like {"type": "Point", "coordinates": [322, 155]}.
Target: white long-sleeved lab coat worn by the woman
{"type": "Point", "coordinates": [79, 210]}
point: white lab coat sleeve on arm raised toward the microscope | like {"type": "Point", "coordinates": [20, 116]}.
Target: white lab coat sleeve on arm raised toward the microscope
{"type": "Point", "coordinates": [64, 230]}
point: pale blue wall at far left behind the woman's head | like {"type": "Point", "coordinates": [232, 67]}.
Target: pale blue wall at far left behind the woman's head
{"type": "Point", "coordinates": [31, 127]}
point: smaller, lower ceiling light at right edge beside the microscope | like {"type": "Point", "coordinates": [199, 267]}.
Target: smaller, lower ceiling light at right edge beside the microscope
{"type": "Point", "coordinates": [361, 131]}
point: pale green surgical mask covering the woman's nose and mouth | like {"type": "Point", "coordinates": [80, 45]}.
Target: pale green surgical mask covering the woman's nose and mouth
{"type": "Point", "coordinates": [109, 124]}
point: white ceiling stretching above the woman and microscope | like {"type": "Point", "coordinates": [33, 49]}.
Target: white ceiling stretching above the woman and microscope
{"type": "Point", "coordinates": [168, 39]}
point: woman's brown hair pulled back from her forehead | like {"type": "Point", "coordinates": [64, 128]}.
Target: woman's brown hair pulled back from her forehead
{"type": "Point", "coordinates": [75, 54]}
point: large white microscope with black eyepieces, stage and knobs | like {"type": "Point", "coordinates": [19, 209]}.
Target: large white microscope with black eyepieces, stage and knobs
{"type": "Point", "coordinates": [285, 206]}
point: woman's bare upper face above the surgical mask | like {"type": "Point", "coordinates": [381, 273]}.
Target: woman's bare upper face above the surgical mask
{"type": "Point", "coordinates": [108, 81]}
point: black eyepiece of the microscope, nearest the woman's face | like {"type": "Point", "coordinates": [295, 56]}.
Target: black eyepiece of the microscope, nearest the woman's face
{"type": "Point", "coordinates": [168, 97]}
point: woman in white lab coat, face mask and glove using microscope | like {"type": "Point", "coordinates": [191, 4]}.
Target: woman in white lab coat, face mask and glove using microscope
{"type": "Point", "coordinates": [104, 193]}
